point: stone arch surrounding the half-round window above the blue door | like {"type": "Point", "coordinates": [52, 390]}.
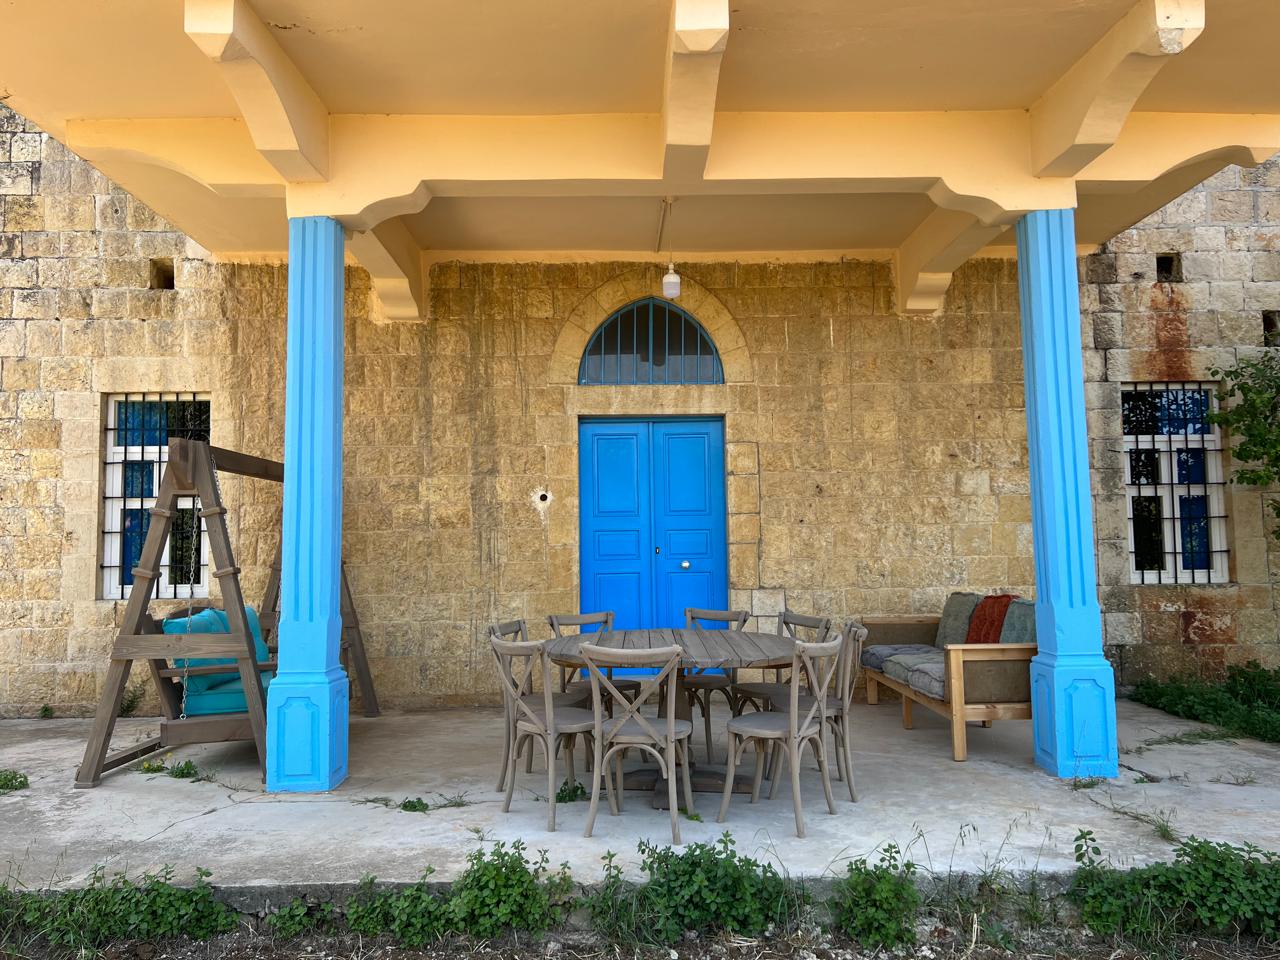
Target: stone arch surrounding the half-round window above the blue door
{"type": "Point", "coordinates": [636, 285]}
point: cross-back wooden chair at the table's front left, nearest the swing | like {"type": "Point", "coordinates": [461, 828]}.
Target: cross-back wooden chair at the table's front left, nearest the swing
{"type": "Point", "coordinates": [532, 717]}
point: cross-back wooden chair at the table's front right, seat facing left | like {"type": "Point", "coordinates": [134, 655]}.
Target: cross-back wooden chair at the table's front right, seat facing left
{"type": "Point", "coordinates": [789, 732]}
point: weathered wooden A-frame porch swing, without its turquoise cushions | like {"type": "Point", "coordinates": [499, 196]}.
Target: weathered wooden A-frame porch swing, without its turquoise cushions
{"type": "Point", "coordinates": [193, 472]}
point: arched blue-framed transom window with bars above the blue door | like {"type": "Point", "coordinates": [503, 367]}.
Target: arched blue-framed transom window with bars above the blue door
{"type": "Point", "coordinates": [651, 342]}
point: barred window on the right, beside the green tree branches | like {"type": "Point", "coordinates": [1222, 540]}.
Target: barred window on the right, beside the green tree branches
{"type": "Point", "coordinates": [1176, 484]}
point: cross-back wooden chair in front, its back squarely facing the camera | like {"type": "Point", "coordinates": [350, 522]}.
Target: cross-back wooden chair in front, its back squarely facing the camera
{"type": "Point", "coordinates": [664, 738]}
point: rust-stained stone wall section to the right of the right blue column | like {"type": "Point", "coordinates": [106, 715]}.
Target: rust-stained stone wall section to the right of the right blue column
{"type": "Point", "coordinates": [1139, 330]}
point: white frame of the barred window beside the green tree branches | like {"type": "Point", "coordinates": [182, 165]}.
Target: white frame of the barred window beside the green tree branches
{"type": "Point", "coordinates": [1214, 490]}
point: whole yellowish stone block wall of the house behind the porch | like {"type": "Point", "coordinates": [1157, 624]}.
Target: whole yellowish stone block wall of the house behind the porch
{"type": "Point", "coordinates": [876, 461]}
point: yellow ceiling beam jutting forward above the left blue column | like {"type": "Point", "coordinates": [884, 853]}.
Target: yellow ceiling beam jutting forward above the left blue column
{"type": "Point", "coordinates": [287, 120]}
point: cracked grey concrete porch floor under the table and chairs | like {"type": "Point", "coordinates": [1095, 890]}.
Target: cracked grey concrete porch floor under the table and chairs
{"type": "Point", "coordinates": [995, 811]}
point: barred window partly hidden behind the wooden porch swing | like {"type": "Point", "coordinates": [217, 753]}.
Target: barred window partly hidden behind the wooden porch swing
{"type": "Point", "coordinates": [139, 428]}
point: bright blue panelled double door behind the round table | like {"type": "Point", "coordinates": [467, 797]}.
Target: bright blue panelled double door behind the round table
{"type": "Point", "coordinates": [653, 525]}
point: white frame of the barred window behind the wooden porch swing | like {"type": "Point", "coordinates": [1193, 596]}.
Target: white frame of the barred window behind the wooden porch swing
{"type": "Point", "coordinates": [115, 504]}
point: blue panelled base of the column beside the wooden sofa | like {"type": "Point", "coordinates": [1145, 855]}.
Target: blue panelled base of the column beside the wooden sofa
{"type": "Point", "coordinates": [1075, 715]}
